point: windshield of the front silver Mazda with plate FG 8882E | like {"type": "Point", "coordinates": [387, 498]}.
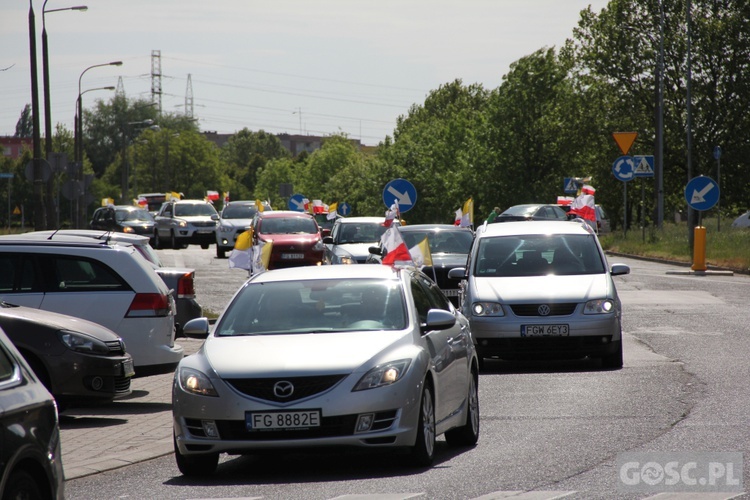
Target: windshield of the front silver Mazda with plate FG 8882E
{"type": "Point", "coordinates": [314, 306]}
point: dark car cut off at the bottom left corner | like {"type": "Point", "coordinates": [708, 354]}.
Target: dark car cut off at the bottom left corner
{"type": "Point", "coordinates": [30, 457]}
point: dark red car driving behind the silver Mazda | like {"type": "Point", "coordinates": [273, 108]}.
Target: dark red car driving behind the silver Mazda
{"type": "Point", "coordinates": [295, 235]}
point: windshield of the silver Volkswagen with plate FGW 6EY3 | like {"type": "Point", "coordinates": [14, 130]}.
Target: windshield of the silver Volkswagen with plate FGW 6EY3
{"type": "Point", "coordinates": [538, 255]}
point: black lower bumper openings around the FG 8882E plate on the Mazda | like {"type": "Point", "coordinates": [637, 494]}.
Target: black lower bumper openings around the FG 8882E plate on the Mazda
{"type": "Point", "coordinates": [236, 430]}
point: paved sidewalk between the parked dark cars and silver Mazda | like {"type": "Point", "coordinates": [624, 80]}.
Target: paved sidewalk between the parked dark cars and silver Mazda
{"type": "Point", "coordinates": [124, 432]}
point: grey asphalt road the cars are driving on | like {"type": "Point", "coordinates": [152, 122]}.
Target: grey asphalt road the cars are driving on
{"type": "Point", "coordinates": [547, 429]}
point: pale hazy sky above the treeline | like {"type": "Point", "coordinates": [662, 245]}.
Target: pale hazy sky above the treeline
{"type": "Point", "coordinates": [283, 66]}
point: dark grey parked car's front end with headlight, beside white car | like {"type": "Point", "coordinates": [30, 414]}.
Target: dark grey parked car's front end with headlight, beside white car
{"type": "Point", "coordinates": [77, 361]}
